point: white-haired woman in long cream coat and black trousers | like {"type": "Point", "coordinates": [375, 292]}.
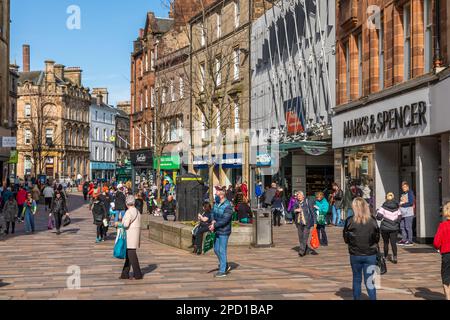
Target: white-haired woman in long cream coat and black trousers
{"type": "Point", "coordinates": [132, 224]}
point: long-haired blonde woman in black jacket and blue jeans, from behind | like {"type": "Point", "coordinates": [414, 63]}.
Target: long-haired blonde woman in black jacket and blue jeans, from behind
{"type": "Point", "coordinates": [361, 234]}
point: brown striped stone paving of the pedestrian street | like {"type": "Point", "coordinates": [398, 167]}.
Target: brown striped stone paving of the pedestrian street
{"type": "Point", "coordinates": [36, 267]}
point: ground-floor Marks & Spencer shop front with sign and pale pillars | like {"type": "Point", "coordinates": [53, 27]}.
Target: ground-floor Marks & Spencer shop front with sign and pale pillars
{"type": "Point", "coordinates": [381, 144]}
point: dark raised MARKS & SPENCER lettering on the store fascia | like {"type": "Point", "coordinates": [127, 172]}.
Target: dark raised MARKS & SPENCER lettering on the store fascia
{"type": "Point", "coordinates": [406, 116]}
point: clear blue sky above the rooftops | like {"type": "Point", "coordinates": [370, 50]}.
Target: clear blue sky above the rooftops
{"type": "Point", "coordinates": [101, 47]}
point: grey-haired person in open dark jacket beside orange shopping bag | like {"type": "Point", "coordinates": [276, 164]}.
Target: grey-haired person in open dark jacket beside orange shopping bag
{"type": "Point", "coordinates": [305, 220]}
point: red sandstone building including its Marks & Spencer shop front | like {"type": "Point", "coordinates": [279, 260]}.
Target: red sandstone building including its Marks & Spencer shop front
{"type": "Point", "coordinates": [392, 94]}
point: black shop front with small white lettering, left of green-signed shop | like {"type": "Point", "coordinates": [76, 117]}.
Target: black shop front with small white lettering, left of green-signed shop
{"type": "Point", "coordinates": [142, 167]}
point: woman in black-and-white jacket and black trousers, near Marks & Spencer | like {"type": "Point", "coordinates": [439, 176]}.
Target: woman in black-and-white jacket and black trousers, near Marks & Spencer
{"type": "Point", "coordinates": [390, 216]}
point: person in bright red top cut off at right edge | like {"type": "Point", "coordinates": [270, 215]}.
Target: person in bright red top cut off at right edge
{"type": "Point", "coordinates": [442, 243]}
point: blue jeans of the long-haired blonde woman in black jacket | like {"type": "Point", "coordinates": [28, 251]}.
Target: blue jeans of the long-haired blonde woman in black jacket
{"type": "Point", "coordinates": [364, 265]}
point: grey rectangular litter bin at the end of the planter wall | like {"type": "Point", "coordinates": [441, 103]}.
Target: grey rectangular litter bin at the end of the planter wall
{"type": "Point", "coordinates": [262, 228]}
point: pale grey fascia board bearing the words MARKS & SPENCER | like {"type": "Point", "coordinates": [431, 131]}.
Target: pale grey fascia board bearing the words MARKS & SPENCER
{"type": "Point", "coordinates": [401, 117]}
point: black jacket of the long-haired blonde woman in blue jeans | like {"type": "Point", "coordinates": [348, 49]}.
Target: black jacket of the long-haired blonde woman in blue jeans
{"type": "Point", "coordinates": [362, 239]}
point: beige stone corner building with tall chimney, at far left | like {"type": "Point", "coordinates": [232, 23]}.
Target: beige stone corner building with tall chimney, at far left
{"type": "Point", "coordinates": [53, 122]}
